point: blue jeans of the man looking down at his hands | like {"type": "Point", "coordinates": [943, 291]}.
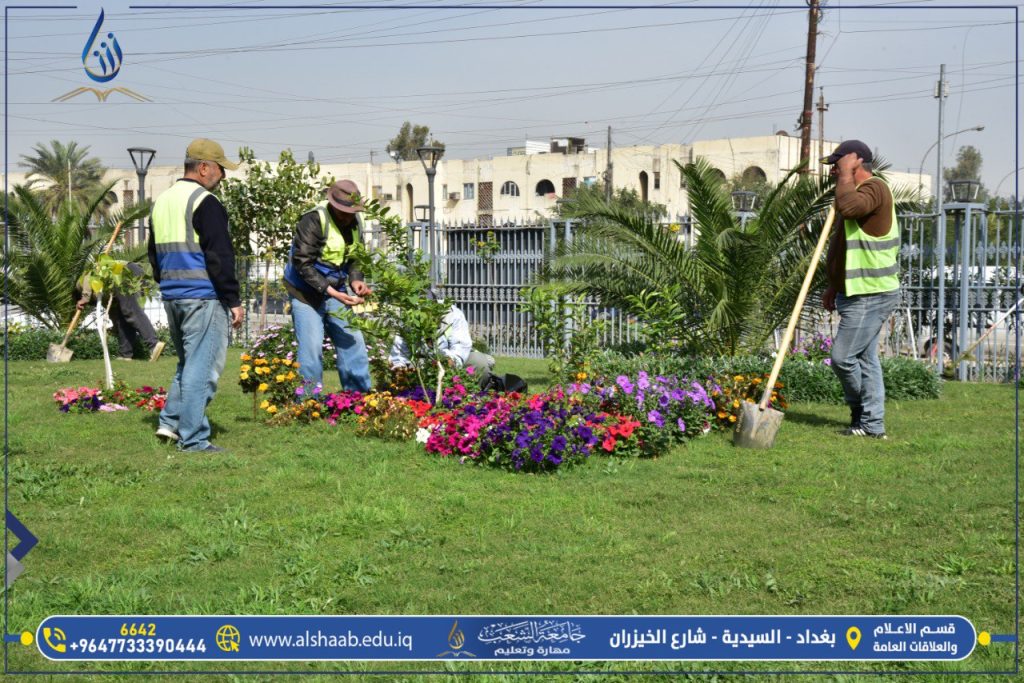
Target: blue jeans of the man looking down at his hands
{"type": "Point", "coordinates": [311, 326]}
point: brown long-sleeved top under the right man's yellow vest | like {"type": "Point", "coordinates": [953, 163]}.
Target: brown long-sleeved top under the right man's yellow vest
{"type": "Point", "coordinates": [871, 204]}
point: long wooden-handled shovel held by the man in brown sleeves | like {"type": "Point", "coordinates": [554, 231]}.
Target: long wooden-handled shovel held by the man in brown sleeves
{"type": "Point", "coordinates": [759, 424]}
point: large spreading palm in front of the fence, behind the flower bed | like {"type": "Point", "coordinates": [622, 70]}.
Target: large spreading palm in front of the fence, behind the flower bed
{"type": "Point", "coordinates": [732, 290]}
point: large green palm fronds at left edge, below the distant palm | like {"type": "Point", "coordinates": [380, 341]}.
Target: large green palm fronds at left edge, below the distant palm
{"type": "Point", "coordinates": [50, 254]}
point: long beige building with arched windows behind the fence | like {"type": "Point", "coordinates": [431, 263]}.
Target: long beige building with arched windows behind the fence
{"type": "Point", "coordinates": [527, 184]}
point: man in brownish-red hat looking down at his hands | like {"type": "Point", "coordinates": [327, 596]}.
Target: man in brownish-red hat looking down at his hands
{"type": "Point", "coordinates": [318, 272]}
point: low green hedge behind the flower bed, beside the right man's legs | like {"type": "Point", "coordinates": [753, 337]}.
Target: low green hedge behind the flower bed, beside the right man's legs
{"type": "Point", "coordinates": [906, 379]}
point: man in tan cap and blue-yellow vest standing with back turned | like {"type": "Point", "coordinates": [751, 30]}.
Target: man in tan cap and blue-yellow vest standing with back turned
{"type": "Point", "coordinates": [194, 263]}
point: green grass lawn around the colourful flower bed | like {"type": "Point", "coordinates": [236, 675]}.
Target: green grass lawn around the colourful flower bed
{"type": "Point", "coordinates": [311, 520]}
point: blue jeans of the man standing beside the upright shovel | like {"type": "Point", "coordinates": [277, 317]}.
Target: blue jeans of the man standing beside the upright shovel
{"type": "Point", "coordinates": [856, 355]}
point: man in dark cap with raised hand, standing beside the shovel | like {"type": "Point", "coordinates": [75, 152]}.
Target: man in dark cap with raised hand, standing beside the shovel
{"type": "Point", "coordinates": [864, 283]}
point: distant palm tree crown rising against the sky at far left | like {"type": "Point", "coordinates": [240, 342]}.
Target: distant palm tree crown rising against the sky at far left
{"type": "Point", "coordinates": [62, 173]}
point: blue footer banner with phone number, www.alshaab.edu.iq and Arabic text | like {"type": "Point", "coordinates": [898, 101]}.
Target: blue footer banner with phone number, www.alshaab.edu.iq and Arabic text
{"type": "Point", "coordinates": [242, 638]}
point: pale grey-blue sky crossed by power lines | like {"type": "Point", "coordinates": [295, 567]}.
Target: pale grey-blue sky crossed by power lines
{"type": "Point", "coordinates": [339, 80]}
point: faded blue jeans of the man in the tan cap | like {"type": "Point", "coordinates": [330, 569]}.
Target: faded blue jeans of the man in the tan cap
{"type": "Point", "coordinates": [200, 330]}
